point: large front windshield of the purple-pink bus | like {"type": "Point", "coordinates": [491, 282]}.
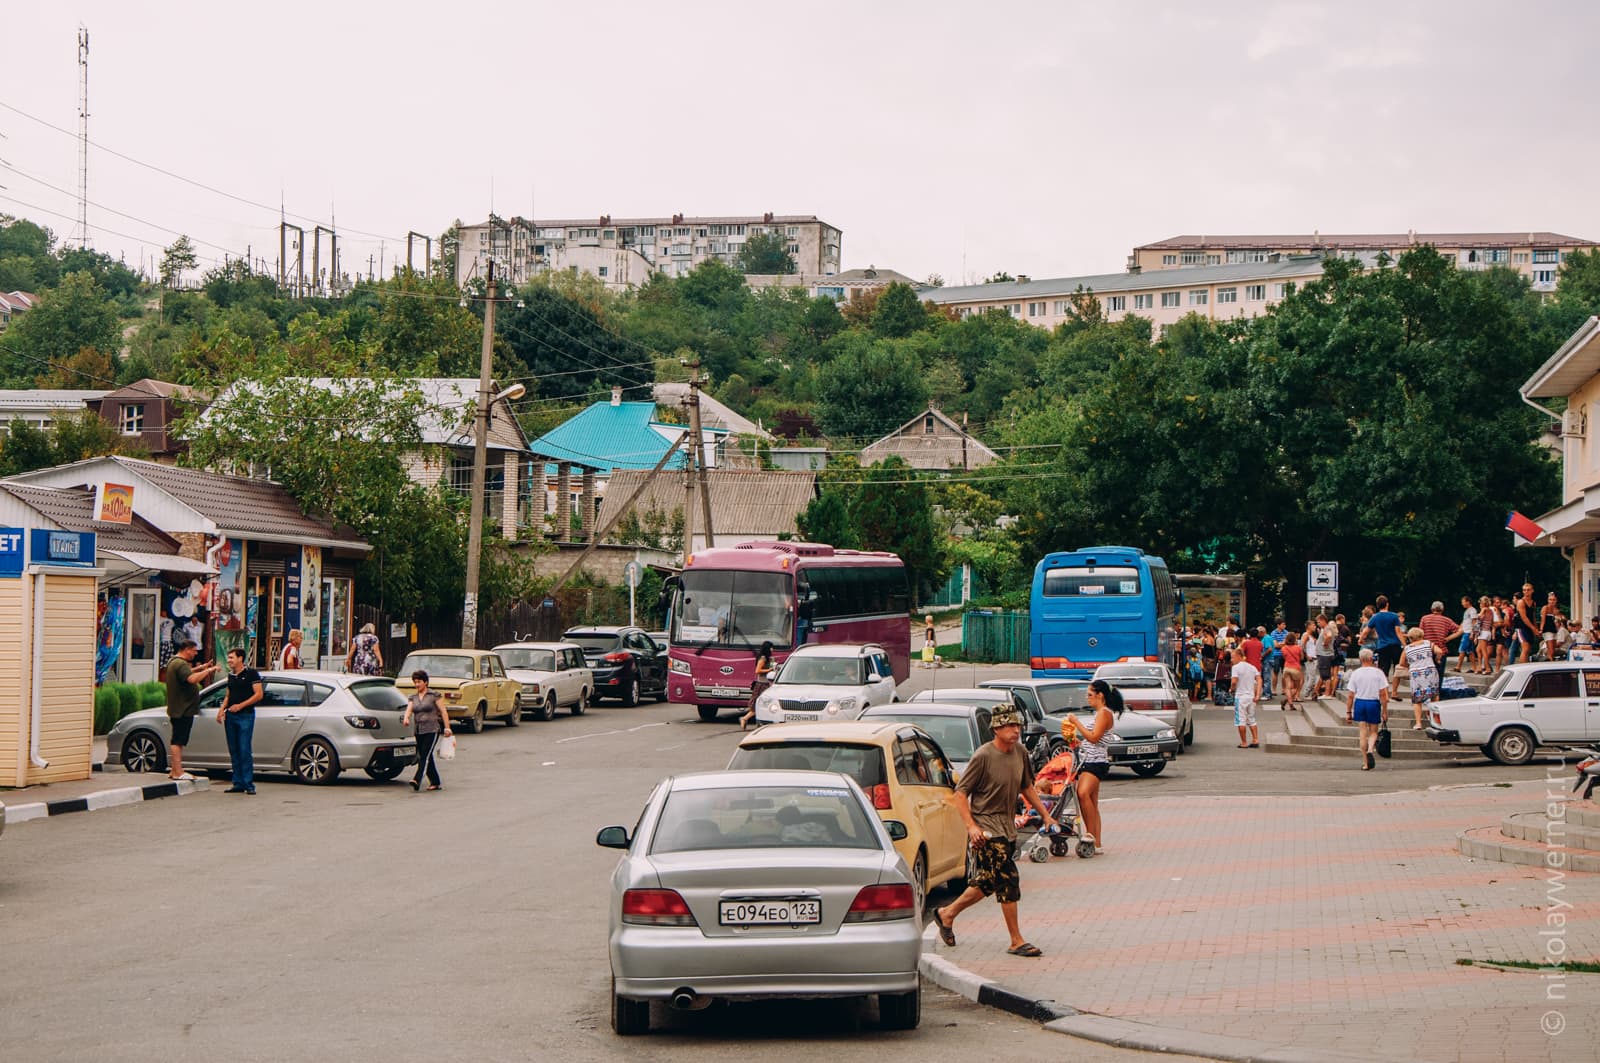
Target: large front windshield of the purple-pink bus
{"type": "Point", "coordinates": [734, 609]}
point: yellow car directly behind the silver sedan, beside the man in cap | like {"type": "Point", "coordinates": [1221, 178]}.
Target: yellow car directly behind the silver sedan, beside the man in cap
{"type": "Point", "coordinates": [902, 769]}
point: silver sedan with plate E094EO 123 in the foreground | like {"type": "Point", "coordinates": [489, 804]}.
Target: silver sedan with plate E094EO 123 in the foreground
{"type": "Point", "coordinates": [761, 884]}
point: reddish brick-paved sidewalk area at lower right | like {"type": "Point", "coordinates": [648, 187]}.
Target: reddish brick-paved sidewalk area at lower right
{"type": "Point", "coordinates": [1316, 926]}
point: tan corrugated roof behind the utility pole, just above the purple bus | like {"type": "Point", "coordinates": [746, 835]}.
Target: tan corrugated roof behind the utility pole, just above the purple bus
{"type": "Point", "coordinates": [743, 502]}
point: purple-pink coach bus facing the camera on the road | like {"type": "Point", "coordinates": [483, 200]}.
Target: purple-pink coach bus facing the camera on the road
{"type": "Point", "coordinates": [729, 601]}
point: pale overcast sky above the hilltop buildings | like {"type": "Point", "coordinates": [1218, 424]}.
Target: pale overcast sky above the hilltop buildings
{"type": "Point", "coordinates": [953, 138]}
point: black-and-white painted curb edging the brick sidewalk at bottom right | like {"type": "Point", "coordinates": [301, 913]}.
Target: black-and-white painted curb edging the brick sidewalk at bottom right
{"type": "Point", "coordinates": [1119, 1033]}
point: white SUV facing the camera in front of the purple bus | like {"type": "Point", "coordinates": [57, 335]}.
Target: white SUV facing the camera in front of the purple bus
{"type": "Point", "coordinates": [826, 684]}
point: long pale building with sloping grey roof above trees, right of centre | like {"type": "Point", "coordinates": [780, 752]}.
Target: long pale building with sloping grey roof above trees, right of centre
{"type": "Point", "coordinates": [1162, 297]}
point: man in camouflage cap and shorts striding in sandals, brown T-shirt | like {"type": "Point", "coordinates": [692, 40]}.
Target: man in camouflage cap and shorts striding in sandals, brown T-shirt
{"type": "Point", "coordinates": [986, 798]}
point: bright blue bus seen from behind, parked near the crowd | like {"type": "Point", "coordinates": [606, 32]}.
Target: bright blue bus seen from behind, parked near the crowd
{"type": "Point", "coordinates": [1097, 606]}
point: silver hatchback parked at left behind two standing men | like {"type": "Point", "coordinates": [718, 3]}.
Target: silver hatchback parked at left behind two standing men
{"type": "Point", "coordinates": [310, 724]}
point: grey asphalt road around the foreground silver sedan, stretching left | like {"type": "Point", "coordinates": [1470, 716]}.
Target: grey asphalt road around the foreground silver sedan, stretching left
{"type": "Point", "coordinates": [364, 920]}
